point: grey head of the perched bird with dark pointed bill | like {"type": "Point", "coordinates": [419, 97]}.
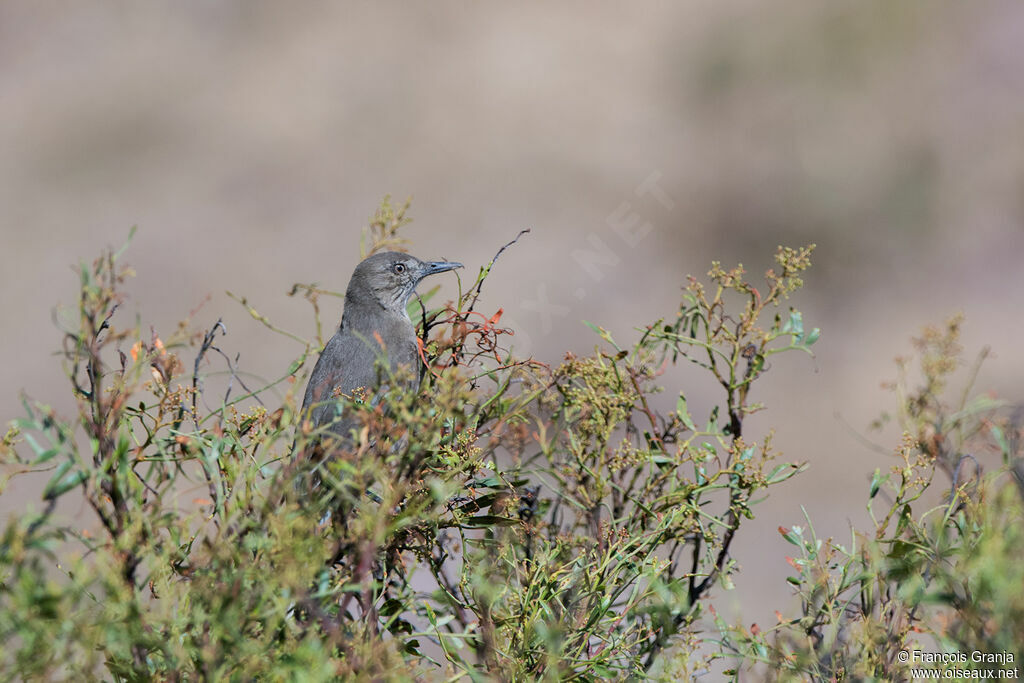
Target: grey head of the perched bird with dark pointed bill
{"type": "Point", "coordinates": [391, 278]}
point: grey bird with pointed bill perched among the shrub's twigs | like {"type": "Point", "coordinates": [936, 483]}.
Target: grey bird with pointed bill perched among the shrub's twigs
{"type": "Point", "coordinates": [375, 313]}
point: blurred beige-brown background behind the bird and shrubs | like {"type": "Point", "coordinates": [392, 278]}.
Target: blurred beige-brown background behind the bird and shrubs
{"type": "Point", "coordinates": [251, 141]}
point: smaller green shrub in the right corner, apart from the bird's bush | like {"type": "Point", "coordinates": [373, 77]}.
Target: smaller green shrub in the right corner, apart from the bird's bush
{"type": "Point", "coordinates": [941, 571]}
